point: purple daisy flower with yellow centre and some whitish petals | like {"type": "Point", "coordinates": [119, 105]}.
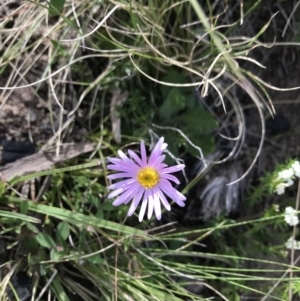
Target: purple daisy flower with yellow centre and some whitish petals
{"type": "Point", "coordinates": [146, 180]}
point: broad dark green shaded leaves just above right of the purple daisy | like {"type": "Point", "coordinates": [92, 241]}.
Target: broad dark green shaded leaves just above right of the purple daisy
{"type": "Point", "coordinates": [181, 110]}
